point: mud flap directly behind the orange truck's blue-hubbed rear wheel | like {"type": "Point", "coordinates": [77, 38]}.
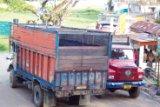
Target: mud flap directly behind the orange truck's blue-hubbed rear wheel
{"type": "Point", "coordinates": [49, 99]}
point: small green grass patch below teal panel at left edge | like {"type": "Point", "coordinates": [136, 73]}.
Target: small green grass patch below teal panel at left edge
{"type": "Point", "coordinates": [4, 44]}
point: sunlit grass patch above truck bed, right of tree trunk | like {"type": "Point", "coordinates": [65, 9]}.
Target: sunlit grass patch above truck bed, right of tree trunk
{"type": "Point", "coordinates": [84, 18]}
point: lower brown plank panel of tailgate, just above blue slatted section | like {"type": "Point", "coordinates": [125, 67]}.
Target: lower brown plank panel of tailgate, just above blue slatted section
{"type": "Point", "coordinates": [67, 63]}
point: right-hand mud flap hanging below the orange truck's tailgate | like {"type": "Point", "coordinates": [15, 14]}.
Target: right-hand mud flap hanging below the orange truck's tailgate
{"type": "Point", "coordinates": [84, 100]}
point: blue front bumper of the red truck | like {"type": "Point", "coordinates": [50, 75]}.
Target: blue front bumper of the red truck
{"type": "Point", "coordinates": [120, 85]}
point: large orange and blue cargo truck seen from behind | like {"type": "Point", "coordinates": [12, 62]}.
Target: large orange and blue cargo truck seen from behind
{"type": "Point", "coordinates": [59, 62]}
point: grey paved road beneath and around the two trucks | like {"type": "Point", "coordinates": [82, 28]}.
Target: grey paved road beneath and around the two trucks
{"type": "Point", "coordinates": [22, 97]}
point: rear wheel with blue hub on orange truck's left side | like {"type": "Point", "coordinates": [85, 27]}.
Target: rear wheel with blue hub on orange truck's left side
{"type": "Point", "coordinates": [38, 96]}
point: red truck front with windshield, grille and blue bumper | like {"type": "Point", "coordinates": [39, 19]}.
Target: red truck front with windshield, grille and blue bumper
{"type": "Point", "coordinates": [123, 73]}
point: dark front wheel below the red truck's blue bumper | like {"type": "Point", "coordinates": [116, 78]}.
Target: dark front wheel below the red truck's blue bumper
{"type": "Point", "coordinates": [134, 92]}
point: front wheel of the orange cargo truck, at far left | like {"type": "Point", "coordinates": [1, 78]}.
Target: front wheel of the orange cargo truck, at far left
{"type": "Point", "coordinates": [13, 79]}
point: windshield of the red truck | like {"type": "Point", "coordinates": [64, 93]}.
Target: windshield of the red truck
{"type": "Point", "coordinates": [122, 54]}
